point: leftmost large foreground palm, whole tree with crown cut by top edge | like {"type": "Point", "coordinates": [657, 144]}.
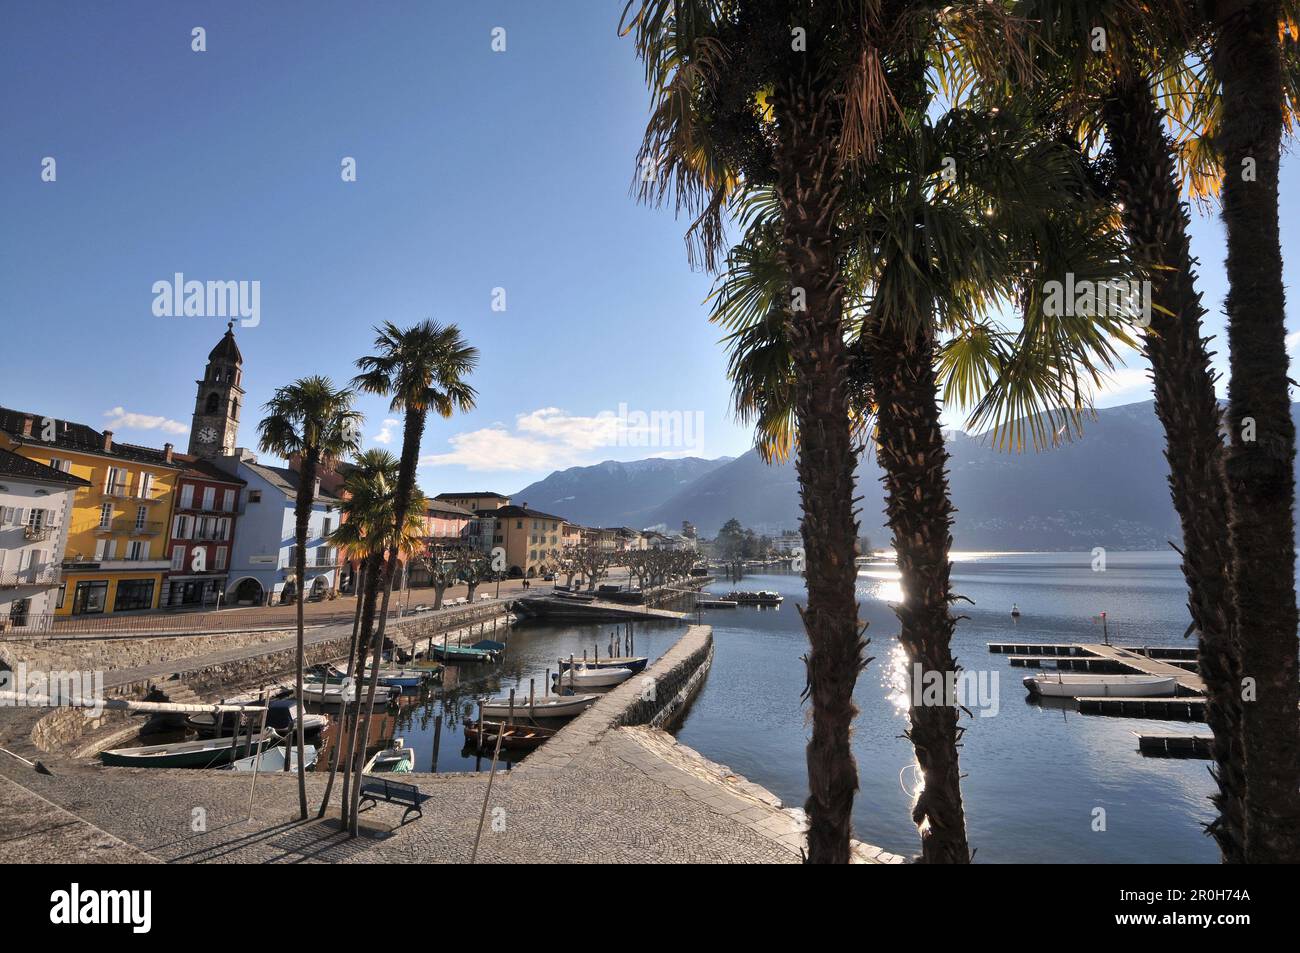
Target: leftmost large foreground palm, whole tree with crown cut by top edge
{"type": "Point", "coordinates": [794, 97]}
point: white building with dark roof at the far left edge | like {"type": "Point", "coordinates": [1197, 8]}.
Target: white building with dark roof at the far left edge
{"type": "Point", "coordinates": [36, 503]}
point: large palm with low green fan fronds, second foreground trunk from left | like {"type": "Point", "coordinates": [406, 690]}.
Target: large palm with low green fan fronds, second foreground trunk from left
{"type": "Point", "coordinates": [928, 259]}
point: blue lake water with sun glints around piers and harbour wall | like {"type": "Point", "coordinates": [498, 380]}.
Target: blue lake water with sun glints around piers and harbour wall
{"type": "Point", "coordinates": [1034, 777]}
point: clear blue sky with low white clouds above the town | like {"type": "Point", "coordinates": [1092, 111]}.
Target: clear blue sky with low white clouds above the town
{"type": "Point", "coordinates": [476, 171]}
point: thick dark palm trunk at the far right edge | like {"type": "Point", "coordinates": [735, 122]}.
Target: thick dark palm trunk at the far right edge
{"type": "Point", "coordinates": [1262, 456]}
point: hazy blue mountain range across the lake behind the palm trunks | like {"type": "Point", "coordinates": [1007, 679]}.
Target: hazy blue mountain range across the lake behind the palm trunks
{"type": "Point", "coordinates": [1108, 488]}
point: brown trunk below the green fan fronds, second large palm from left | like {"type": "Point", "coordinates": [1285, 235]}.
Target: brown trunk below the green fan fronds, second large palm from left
{"type": "Point", "coordinates": [912, 453]}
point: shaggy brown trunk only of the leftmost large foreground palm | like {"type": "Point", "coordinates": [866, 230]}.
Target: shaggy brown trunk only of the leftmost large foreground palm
{"type": "Point", "coordinates": [809, 192]}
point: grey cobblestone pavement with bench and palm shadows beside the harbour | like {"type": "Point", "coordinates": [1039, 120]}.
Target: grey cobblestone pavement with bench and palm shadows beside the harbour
{"type": "Point", "coordinates": [595, 794]}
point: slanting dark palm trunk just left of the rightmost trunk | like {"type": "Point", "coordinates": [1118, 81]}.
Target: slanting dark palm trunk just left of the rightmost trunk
{"type": "Point", "coordinates": [1188, 408]}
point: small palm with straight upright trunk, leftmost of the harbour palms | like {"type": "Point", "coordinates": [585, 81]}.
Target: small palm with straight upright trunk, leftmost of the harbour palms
{"type": "Point", "coordinates": [314, 422]}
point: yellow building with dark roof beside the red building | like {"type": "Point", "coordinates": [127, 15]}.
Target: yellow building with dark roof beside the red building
{"type": "Point", "coordinates": [120, 526]}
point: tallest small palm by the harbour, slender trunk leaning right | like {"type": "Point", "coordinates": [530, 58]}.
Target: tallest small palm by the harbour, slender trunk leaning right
{"type": "Point", "coordinates": [422, 369]}
